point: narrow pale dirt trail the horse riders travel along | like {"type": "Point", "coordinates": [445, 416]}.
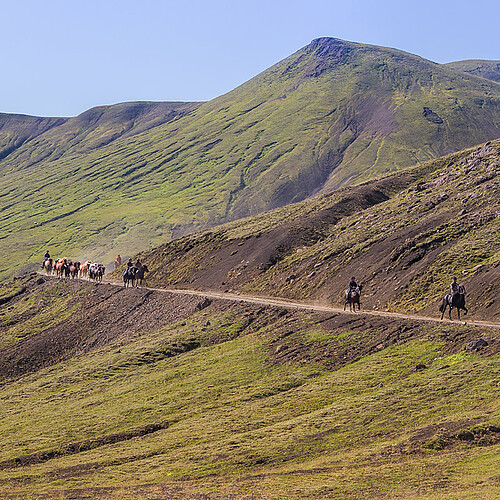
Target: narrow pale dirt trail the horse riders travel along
{"type": "Point", "coordinates": [292, 304]}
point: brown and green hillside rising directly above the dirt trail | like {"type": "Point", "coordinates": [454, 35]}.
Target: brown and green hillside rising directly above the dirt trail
{"type": "Point", "coordinates": [438, 219]}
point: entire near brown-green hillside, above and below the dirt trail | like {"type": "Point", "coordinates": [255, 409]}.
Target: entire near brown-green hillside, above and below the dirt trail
{"type": "Point", "coordinates": [122, 393]}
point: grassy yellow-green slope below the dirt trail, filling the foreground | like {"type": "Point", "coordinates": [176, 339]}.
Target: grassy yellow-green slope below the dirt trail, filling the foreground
{"type": "Point", "coordinates": [262, 403]}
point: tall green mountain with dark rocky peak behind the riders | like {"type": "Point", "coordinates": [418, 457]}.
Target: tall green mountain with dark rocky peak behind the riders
{"type": "Point", "coordinates": [332, 113]}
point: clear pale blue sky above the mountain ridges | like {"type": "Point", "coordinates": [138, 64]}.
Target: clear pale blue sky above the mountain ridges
{"type": "Point", "coordinates": [60, 58]}
